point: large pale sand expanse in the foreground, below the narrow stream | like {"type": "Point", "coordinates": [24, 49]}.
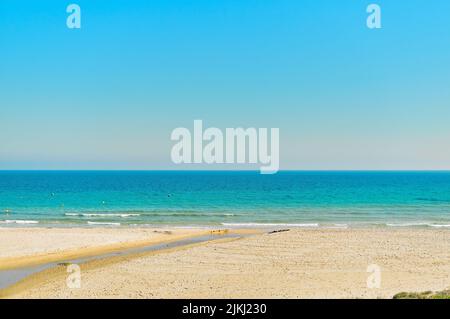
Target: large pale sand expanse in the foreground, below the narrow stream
{"type": "Point", "coordinates": [300, 263]}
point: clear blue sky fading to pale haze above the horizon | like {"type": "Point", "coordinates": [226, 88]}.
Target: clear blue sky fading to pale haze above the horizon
{"type": "Point", "coordinates": [108, 95]}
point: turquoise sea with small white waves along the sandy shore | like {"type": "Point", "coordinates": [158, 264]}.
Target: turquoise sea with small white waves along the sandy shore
{"type": "Point", "coordinates": [308, 199]}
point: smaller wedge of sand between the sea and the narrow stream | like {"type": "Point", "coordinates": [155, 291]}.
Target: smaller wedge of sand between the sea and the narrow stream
{"type": "Point", "coordinates": [21, 247]}
